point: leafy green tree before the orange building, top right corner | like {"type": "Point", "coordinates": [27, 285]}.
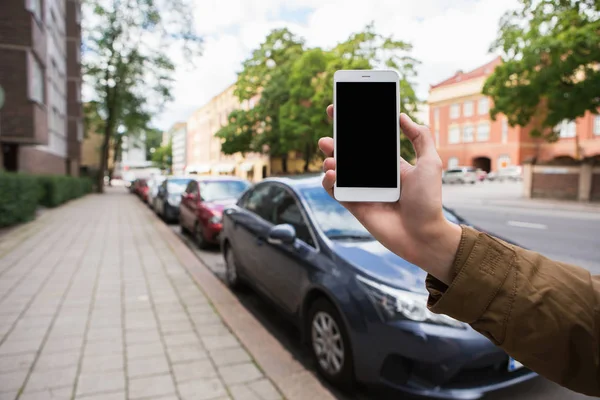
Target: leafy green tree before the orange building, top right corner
{"type": "Point", "coordinates": [550, 69]}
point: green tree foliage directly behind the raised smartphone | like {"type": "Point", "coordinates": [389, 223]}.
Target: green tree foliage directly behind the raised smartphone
{"type": "Point", "coordinates": [295, 85]}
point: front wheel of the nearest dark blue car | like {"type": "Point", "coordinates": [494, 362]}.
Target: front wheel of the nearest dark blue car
{"type": "Point", "coordinates": [330, 344]}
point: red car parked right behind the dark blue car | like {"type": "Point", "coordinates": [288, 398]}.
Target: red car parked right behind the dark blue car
{"type": "Point", "coordinates": [202, 206]}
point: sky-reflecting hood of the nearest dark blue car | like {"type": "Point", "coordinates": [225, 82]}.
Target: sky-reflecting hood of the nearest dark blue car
{"type": "Point", "coordinates": [374, 260]}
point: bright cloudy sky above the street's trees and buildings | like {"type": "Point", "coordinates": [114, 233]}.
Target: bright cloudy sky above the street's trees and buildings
{"type": "Point", "coordinates": [447, 36]}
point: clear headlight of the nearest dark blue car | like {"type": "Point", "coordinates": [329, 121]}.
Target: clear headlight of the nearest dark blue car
{"type": "Point", "coordinates": [394, 304]}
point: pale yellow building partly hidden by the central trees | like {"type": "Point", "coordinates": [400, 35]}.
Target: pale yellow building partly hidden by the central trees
{"type": "Point", "coordinates": [204, 156]}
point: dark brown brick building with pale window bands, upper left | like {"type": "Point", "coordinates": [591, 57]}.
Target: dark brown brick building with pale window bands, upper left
{"type": "Point", "coordinates": [41, 125]}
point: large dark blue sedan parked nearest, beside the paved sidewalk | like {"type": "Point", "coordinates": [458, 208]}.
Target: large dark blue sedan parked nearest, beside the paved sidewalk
{"type": "Point", "coordinates": [361, 308]}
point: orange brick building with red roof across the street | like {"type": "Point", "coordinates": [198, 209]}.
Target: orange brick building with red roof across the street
{"type": "Point", "coordinates": [465, 134]}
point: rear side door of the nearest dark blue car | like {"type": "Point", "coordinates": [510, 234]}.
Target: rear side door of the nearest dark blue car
{"type": "Point", "coordinates": [248, 231]}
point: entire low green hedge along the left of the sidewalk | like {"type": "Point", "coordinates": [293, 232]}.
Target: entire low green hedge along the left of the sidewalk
{"type": "Point", "coordinates": [20, 194]}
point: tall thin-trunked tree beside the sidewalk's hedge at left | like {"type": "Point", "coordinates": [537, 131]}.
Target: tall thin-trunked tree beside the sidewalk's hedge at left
{"type": "Point", "coordinates": [127, 48]}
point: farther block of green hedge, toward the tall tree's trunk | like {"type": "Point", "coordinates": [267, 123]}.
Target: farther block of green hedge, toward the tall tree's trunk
{"type": "Point", "coordinates": [58, 189]}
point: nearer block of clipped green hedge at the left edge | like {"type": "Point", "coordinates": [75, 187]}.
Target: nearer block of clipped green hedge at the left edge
{"type": "Point", "coordinates": [19, 195]}
